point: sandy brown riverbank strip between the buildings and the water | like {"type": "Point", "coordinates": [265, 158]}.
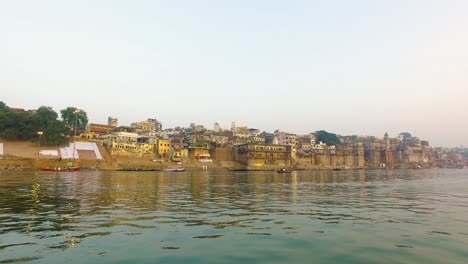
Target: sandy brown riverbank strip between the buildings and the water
{"type": "Point", "coordinates": [25, 155]}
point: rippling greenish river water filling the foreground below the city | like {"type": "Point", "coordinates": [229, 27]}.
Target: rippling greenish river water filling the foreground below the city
{"type": "Point", "coordinates": [395, 216]}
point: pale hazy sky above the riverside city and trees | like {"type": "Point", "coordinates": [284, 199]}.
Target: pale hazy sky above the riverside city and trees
{"type": "Point", "coordinates": [349, 67]}
